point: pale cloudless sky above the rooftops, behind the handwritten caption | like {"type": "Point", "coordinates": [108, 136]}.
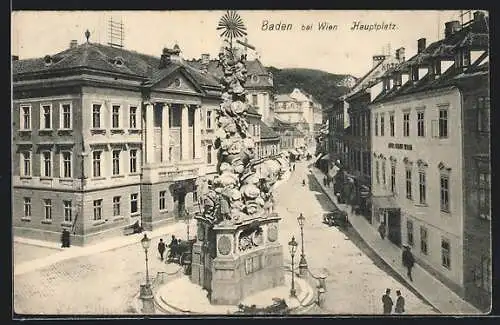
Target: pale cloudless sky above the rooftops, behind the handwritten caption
{"type": "Point", "coordinates": [342, 50]}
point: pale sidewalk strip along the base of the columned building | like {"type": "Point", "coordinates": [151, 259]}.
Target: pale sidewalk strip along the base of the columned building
{"type": "Point", "coordinates": [107, 245]}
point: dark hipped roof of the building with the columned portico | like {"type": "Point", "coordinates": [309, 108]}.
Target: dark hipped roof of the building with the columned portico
{"type": "Point", "coordinates": [101, 57]}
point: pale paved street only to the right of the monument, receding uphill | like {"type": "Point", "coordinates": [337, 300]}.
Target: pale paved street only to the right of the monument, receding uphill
{"type": "Point", "coordinates": [357, 277]}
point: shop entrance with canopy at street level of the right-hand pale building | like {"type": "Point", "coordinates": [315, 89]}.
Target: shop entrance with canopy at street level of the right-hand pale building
{"type": "Point", "coordinates": [386, 210]}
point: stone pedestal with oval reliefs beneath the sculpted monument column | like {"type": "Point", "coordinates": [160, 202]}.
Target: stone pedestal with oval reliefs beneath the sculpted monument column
{"type": "Point", "coordinates": [246, 259]}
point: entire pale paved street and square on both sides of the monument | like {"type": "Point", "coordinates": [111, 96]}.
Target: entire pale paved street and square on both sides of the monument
{"type": "Point", "coordinates": [106, 282]}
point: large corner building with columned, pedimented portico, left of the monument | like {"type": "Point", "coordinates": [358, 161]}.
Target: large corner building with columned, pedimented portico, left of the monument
{"type": "Point", "coordinates": [104, 137]}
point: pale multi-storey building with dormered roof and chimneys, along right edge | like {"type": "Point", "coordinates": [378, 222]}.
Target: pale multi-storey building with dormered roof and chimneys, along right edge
{"type": "Point", "coordinates": [431, 159]}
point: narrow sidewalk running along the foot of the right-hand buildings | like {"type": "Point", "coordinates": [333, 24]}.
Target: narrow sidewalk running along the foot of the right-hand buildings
{"type": "Point", "coordinates": [434, 291]}
